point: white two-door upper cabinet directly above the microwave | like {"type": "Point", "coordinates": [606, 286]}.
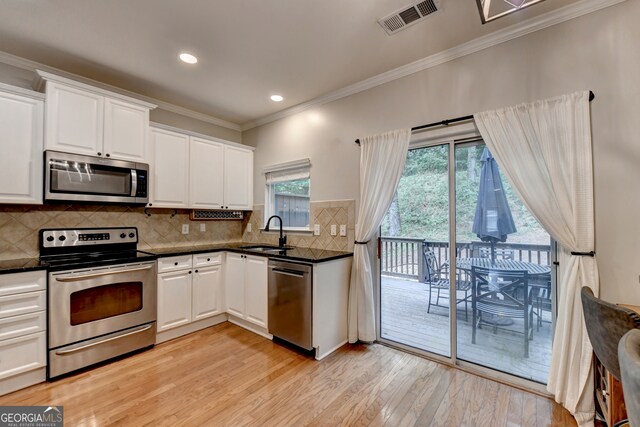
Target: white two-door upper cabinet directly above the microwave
{"type": "Point", "coordinates": [82, 119]}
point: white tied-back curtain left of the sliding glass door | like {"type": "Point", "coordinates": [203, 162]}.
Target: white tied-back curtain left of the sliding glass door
{"type": "Point", "coordinates": [382, 160]}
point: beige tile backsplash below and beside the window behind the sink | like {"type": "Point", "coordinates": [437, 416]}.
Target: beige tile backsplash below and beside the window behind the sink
{"type": "Point", "coordinates": [323, 213]}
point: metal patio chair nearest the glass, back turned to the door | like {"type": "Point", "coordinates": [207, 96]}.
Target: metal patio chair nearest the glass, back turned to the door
{"type": "Point", "coordinates": [501, 294]}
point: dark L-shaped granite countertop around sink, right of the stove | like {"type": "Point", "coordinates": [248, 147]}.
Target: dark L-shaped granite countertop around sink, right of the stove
{"type": "Point", "coordinates": [296, 254]}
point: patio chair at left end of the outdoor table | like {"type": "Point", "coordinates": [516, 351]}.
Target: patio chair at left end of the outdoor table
{"type": "Point", "coordinates": [437, 277]}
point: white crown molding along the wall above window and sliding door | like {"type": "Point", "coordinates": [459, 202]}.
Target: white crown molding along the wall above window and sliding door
{"type": "Point", "coordinates": [515, 31]}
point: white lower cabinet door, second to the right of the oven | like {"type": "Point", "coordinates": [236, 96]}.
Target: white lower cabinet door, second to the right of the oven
{"type": "Point", "coordinates": [207, 282]}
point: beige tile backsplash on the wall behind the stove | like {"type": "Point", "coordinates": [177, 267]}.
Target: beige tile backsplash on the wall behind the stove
{"type": "Point", "coordinates": [19, 226]}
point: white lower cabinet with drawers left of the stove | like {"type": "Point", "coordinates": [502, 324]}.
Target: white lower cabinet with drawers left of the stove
{"type": "Point", "coordinates": [23, 335]}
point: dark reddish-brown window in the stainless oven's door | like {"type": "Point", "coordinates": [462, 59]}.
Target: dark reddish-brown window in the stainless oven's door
{"type": "Point", "coordinates": [106, 301]}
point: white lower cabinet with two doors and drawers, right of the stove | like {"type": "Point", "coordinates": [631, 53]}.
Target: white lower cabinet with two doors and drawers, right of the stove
{"type": "Point", "coordinates": [189, 289]}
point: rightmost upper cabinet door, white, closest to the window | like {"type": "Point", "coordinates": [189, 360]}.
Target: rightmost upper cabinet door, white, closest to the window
{"type": "Point", "coordinates": [238, 178]}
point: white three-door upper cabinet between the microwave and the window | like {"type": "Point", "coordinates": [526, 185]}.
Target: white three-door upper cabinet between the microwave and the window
{"type": "Point", "coordinates": [219, 174]}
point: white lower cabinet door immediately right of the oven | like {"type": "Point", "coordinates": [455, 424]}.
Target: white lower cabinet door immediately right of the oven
{"type": "Point", "coordinates": [174, 299]}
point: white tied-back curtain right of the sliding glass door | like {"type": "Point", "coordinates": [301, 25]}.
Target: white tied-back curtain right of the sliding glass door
{"type": "Point", "coordinates": [544, 149]}
